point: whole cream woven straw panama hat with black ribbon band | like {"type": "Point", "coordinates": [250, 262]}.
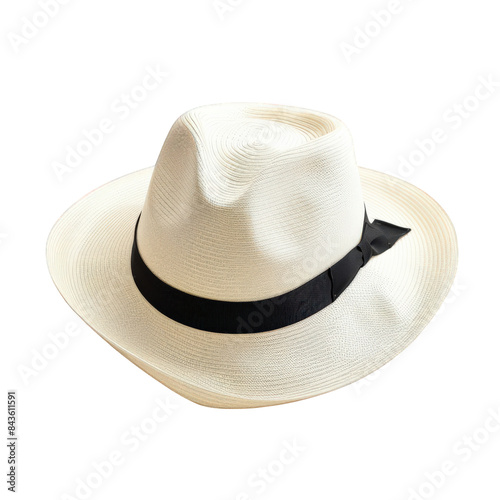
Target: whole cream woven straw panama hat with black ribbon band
{"type": "Point", "coordinates": [256, 263]}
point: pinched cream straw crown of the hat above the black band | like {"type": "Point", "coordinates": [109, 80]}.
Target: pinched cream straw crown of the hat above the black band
{"type": "Point", "coordinates": [249, 201]}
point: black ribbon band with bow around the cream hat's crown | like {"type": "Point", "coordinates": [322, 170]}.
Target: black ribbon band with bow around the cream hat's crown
{"type": "Point", "coordinates": [269, 314]}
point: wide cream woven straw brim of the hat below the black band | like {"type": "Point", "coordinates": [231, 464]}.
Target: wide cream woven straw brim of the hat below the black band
{"type": "Point", "coordinates": [383, 310]}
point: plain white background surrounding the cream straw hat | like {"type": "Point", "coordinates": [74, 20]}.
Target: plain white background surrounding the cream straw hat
{"type": "Point", "coordinates": [380, 438]}
